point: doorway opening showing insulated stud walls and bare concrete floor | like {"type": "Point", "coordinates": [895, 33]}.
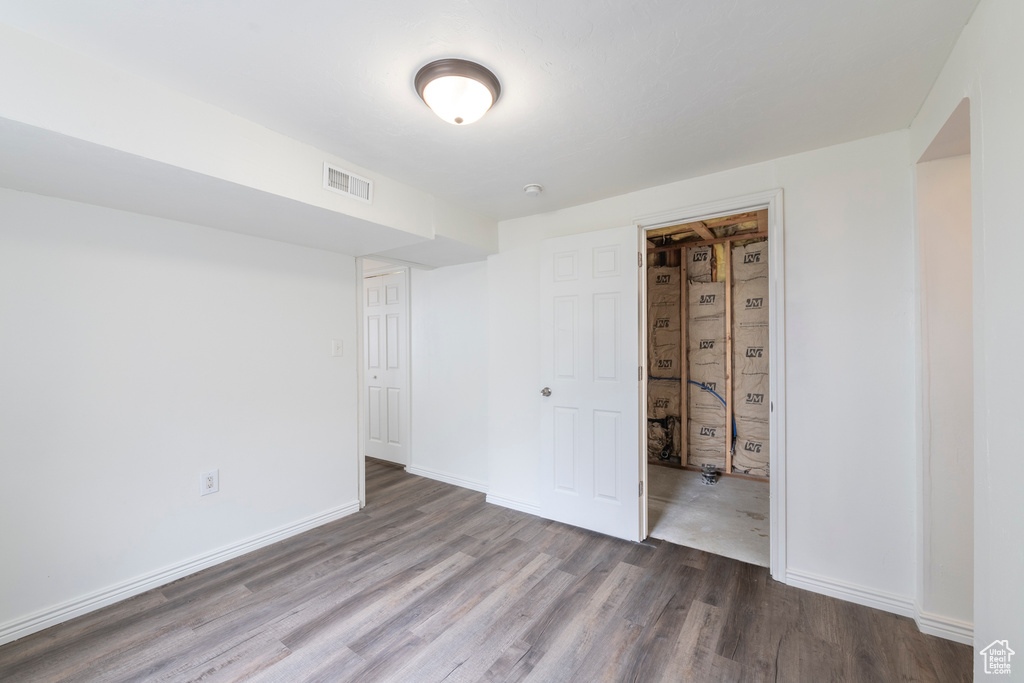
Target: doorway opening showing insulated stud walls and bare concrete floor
{"type": "Point", "coordinates": [710, 390]}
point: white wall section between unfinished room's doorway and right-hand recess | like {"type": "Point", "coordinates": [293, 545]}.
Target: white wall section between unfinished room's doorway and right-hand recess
{"type": "Point", "coordinates": [851, 464]}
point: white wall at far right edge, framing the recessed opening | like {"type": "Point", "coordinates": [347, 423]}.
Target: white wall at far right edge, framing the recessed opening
{"type": "Point", "coordinates": [986, 66]}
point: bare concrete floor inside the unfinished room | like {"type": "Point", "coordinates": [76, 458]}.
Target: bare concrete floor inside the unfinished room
{"type": "Point", "coordinates": [730, 519]}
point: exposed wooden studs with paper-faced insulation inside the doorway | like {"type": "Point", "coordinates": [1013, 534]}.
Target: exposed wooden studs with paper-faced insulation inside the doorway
{"type": "Point", "coordinates": [708, 346]}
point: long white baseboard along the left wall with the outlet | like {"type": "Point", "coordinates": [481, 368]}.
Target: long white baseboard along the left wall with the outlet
{"type": "Point", "coordinates": [45, 619]}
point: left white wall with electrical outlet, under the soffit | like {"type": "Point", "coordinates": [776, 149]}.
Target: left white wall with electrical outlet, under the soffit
{"type": "Point", "coordinates": [138, 354]}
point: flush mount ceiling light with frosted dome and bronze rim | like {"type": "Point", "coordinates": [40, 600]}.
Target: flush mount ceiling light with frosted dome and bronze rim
{"type": "Point", "coordinates": [457, 91]}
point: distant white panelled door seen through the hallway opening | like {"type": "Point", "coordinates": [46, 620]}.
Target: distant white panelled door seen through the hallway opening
{"type": "Point", "coordinates": [387, 378]}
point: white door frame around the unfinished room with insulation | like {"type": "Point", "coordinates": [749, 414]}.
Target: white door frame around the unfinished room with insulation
{"type": "Point", "coordinates": [773, 201]}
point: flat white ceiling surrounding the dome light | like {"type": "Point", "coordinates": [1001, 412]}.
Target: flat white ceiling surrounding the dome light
{"type": "Point", "coordinates": [599, 98]}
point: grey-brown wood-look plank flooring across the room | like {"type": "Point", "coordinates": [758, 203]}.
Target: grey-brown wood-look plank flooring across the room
{"type": "Point", "coordinates": [430, 583]}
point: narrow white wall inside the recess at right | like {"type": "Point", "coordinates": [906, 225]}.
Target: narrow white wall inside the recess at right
{"type": "Point", "coordinates": [947, 584]}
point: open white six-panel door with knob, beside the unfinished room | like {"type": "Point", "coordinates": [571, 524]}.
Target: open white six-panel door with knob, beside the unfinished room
{"type": "Point", "coordinates": [590, 450]}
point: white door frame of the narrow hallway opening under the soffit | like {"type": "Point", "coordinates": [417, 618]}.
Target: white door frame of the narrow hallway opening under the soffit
{"type": "Point", "coordinates": [361, 405]}
